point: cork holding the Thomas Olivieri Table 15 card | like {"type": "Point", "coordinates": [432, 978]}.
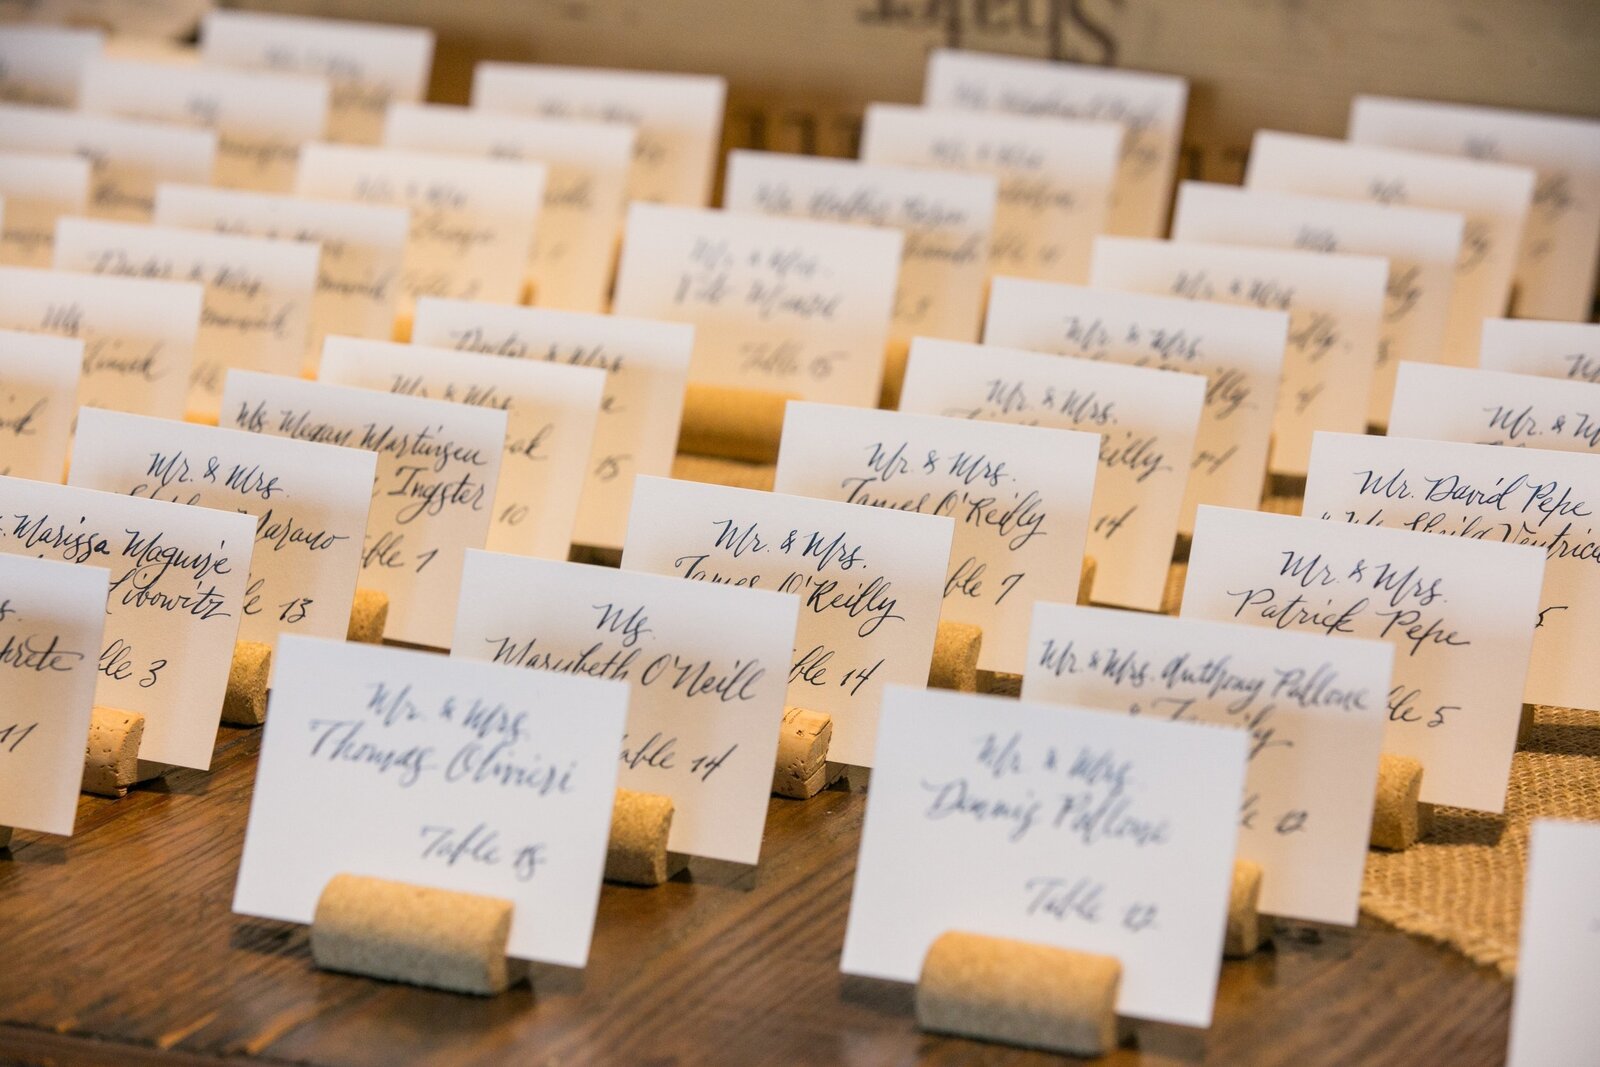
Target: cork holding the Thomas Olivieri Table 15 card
{"type": "Point", "coordinates": [406, 933]}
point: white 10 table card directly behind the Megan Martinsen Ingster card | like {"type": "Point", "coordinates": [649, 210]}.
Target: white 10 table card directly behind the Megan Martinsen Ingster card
{"type": "Point", "coordinates": [551, 414]}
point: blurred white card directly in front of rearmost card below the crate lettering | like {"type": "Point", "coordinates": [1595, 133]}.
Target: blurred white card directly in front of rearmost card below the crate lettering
{"type": "Point", "coordinates": [1055, 178]}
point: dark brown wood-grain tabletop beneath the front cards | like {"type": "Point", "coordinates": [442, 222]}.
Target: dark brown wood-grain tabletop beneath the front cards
{"type": "Point", "coordinates": [118, 946]}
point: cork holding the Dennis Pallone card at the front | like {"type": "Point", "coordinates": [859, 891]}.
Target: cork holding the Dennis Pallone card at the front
{"type": "Point", "coordinates": [1017, 993]}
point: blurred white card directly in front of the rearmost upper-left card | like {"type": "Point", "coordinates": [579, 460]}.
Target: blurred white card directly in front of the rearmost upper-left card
{"type": "Point", "coordinates": [262, 121]}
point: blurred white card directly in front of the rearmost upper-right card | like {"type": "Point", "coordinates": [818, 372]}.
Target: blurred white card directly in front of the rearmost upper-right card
{"type": "Point", "coordinates": [1495, 201]}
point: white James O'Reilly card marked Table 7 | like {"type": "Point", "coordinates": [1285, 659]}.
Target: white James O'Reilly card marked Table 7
{"type": "Point", "coordinates": [1020, 495]}
